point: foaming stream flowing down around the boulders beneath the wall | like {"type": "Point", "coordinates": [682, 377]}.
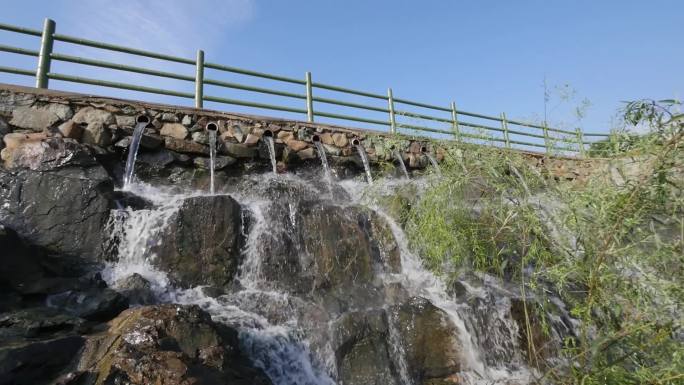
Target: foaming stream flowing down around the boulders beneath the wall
{"type": "Point", "coordinates": [291, 330]}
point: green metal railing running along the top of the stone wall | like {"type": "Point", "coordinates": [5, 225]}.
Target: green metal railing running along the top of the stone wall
{"type": "Point", "coordinates": [554, 139]}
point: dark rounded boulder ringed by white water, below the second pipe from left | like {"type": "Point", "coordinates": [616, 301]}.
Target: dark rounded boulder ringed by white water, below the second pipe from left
{"type": "Point", "coordinates": [201, 242]}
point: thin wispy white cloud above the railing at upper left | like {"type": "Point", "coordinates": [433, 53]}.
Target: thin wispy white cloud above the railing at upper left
{"type": "Point", "coordinates": [173, 27]}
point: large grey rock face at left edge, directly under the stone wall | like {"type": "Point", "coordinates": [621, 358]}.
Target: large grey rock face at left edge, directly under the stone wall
{"type": "Point", "coordinates": [70, 215]}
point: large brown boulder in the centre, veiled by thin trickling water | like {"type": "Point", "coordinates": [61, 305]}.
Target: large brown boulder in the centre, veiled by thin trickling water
{"type": "Point", "coordinates": [315, 246]}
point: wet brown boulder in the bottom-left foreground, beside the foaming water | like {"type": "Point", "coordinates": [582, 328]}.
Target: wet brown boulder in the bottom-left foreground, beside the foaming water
{"type": "Point", "coordinates": [167, 344]}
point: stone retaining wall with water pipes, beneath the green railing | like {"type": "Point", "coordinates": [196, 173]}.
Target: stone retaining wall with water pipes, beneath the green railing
{"type": "Point", "coordinates": [178, 135]}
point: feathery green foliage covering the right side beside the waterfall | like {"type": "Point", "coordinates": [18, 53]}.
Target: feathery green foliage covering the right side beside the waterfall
{"type": "Point", "coordinates": [613, 249]}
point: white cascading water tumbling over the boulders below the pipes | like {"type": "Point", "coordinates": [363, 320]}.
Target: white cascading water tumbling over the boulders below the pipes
{"type": "Point", "coordinates": [288, 333]}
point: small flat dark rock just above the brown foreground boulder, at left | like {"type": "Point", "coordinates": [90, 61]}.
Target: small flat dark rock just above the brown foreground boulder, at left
{"type": "Point", "coordinates": [97, 304]}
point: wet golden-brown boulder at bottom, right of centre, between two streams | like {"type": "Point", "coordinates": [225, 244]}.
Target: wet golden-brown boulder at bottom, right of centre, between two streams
{"type": "Point", "coordinates": [429, 339]}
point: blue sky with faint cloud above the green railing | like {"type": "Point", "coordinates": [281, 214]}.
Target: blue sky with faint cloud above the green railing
{"type": "Point", "coordinates": [488, 56]}
